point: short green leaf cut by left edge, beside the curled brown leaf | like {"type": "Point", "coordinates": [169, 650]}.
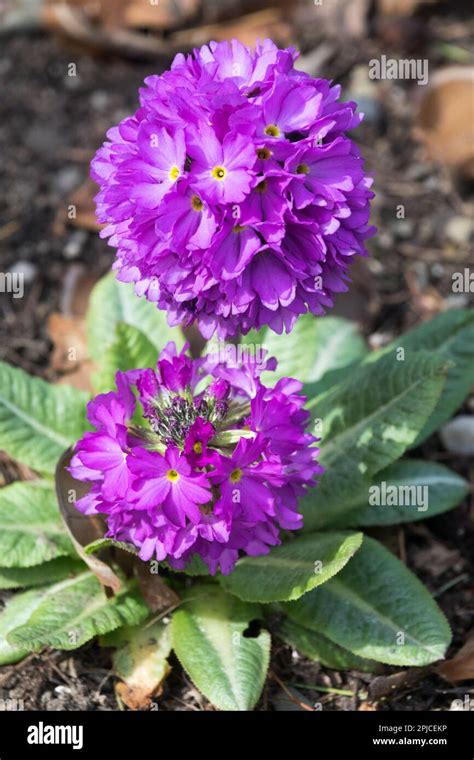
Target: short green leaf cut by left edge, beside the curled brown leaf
{"type": "Point", "coordinates": [31, 530]}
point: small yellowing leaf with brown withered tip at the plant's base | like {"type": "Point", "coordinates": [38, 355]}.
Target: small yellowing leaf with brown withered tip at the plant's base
{"type": "Point", "coordinates": [141, 659]}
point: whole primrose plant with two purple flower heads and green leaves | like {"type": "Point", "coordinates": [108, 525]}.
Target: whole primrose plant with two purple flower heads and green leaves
{"type": "Point", "coordinates": [205, 503]}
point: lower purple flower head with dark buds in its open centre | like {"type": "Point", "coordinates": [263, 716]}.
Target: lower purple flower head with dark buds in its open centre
{"type": "Point", "coordinates": [208, 462]}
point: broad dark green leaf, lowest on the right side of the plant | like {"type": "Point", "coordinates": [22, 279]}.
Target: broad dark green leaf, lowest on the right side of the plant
{"type": "Point", "coordinates": [378, 609]}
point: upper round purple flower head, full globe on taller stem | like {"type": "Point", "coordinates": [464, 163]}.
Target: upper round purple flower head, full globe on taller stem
{"type": "Point", "coordinates": [233, 195]}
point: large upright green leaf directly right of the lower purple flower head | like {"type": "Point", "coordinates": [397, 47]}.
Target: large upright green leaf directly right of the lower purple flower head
{"type": "Point", "coordinates": [366, 423]}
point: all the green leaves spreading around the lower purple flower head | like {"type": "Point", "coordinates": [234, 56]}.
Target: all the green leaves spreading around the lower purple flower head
{"type": "Point", "coordinates": [348, 603]}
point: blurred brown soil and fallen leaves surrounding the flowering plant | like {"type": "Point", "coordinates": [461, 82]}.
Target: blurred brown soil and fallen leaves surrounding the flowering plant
{"type": "Point", "coordinates": [70, 69]}
